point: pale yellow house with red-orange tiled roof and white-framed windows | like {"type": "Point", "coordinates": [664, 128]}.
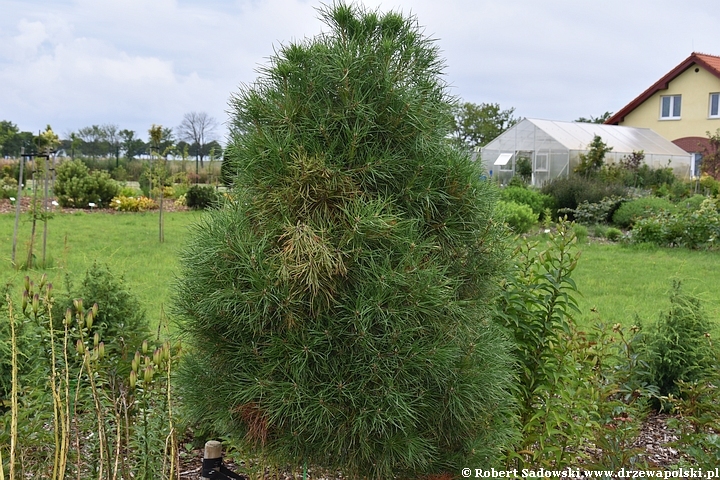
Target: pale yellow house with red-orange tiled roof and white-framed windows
{"type": "Point", "coordinates": [682, 106]}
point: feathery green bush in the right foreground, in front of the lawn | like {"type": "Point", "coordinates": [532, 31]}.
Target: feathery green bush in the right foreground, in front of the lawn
{"type": "Point", "coordinates": [679, 346]}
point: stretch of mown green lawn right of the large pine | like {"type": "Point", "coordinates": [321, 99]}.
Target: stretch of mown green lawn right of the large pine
{"type": "Point", "coordinates": [623, 283]}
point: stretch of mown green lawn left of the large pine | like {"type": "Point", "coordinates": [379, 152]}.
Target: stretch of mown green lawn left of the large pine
{"type": "Point", "coordinates": [126, 242]}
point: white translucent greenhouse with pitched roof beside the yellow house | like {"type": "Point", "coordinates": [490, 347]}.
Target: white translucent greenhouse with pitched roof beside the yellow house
{"type": "Point", "coordinates": [553, 149]}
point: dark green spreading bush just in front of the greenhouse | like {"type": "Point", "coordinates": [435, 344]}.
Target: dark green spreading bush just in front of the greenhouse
{"type": "Point", "coordinates": [569, 192]}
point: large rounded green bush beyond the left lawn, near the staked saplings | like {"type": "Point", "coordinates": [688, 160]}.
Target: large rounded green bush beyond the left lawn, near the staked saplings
{"type": "Point", "coordinates": [77, 187]}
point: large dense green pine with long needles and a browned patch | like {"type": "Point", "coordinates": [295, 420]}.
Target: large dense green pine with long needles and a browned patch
{"type": "Point", "coordinates": [338, 310]}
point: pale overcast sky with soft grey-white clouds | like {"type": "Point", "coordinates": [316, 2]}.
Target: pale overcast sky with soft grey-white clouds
{"type": "Point", "coordinates": [134, 63]}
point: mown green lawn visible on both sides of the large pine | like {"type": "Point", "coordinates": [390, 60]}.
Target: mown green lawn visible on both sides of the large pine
{"type": "Point", "coordinates": [619, 282]}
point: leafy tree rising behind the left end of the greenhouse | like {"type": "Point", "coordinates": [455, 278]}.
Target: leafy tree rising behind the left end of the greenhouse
{"type": "Point", "coordinates": [477, 125]}
